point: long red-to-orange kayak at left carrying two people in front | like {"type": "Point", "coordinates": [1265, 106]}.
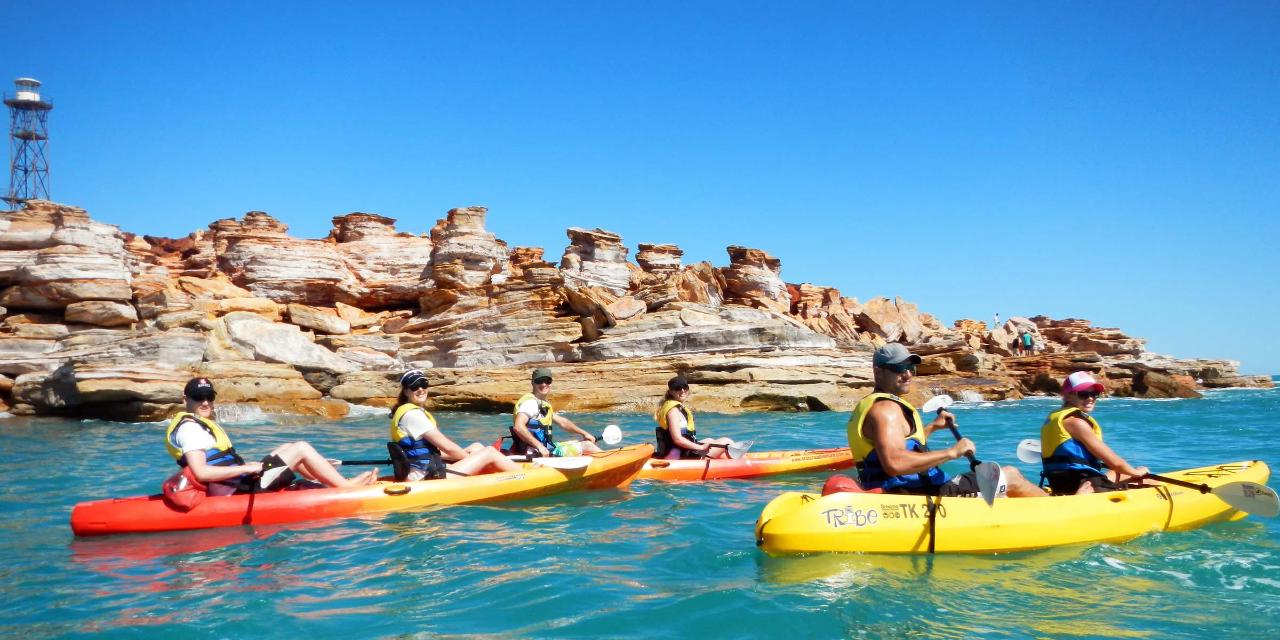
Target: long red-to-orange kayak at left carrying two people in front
{"type": "Point", "coordinates": [145, 514]}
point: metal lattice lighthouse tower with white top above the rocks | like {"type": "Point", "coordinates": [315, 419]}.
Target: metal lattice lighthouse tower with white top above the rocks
{"type": "Point", "coordinates": [29, 139]}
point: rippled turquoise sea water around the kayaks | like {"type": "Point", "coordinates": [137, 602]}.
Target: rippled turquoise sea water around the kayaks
{"type": "Point", "coordinates": [656, 561]}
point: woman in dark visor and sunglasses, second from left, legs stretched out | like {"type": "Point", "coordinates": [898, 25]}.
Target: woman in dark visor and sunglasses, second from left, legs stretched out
{"type": "Point", "coordinates": [429, 451]}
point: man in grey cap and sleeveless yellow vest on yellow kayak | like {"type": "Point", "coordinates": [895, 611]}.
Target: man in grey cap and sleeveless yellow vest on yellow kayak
{"type": "Point", "coordinates": [889, 438]}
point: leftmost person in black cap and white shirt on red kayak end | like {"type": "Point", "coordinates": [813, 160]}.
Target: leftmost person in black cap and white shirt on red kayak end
{"type": "Point", "coordinates": [198, 442]}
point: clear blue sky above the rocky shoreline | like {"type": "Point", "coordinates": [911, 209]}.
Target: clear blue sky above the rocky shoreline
{"type": "Point", "coordinates": [1118, 162]}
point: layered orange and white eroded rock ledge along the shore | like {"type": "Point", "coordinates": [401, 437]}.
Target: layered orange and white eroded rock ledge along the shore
{"type": "Point", "coordinates": [99, 323]}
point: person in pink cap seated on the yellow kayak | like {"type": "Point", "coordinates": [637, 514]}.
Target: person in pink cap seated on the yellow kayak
{"type": "Point", "coordinates": [1075, 456]}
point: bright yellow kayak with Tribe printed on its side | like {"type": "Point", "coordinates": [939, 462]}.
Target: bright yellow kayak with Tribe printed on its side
{"type": "Point", "coordinates": [875, 523]}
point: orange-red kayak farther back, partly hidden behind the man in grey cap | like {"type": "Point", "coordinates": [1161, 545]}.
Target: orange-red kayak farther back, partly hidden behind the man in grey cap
{"type": "Point", "coordinates": [751, 465]}
